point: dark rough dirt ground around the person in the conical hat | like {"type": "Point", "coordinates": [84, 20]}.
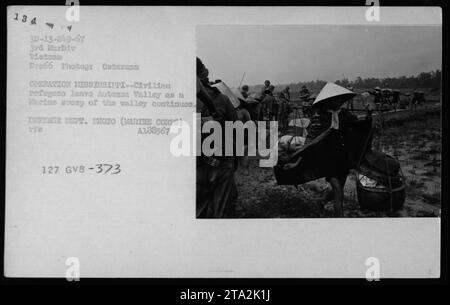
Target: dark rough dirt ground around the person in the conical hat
{"type": "Point", "coordinates": [413, 137]}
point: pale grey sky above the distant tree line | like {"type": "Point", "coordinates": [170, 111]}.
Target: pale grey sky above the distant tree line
{"type": "Point", "coordinates": [291, 54]}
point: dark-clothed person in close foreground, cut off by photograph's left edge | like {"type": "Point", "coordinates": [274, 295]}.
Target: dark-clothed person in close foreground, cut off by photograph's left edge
{"type": "Point", "coordinates": [215, 186]}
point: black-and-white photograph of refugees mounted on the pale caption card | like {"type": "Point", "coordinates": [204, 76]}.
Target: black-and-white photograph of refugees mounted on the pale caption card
{"type": "Point", "coordinates": [358, 109]}
